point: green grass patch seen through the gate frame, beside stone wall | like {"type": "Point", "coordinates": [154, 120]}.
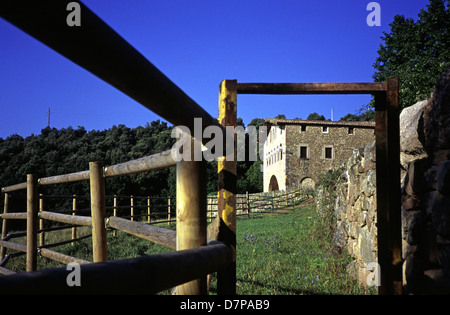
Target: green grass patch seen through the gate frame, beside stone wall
{"type": "Point", "coordinates": [286, 254]}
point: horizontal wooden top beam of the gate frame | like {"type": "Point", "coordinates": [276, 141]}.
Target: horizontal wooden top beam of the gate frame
{"type": "Point", "coordinates": [311, 88]}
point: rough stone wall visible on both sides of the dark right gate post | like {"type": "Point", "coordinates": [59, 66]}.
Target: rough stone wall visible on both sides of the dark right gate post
{"type": "Point", "coordinates": [425, 196]}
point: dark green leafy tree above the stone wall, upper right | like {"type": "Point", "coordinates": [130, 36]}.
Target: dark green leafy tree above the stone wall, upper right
{"type": "Point", "coordinates": [417, 52]}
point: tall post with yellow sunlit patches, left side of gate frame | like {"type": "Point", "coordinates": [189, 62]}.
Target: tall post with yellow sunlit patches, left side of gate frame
{"type": "Point", "coordinates": [226, 199]}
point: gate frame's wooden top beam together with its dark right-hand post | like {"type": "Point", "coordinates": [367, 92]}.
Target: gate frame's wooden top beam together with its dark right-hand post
{"type": "Point", "coordinates": [387, 133]}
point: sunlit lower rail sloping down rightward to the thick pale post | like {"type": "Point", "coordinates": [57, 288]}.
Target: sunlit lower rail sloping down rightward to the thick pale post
{"type": "Point", "coordinates": [161, 236]}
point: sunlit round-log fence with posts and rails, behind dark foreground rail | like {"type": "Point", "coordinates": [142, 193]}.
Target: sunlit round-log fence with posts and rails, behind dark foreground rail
{"type": "Point", "coordinates": [97, 173]}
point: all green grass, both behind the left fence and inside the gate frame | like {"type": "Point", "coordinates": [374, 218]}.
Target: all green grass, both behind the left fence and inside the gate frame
{"type": "Point", "coordinates": [284, 253]}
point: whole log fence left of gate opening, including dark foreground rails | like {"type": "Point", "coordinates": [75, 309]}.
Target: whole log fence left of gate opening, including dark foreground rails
{"type": "Point", "coordinates": [97, 48]}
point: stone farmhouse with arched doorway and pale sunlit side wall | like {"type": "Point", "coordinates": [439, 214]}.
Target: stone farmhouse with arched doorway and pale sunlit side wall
{"type": "Point", "coordinates": [296, 151]}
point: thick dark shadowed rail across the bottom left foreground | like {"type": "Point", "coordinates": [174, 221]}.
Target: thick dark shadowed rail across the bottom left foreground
{"type": "Point", "coordinates": [141, 275]}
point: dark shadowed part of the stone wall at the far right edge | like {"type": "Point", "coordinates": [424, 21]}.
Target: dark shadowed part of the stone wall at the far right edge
{"type": "Point", "coordinates": [426, 199]}
